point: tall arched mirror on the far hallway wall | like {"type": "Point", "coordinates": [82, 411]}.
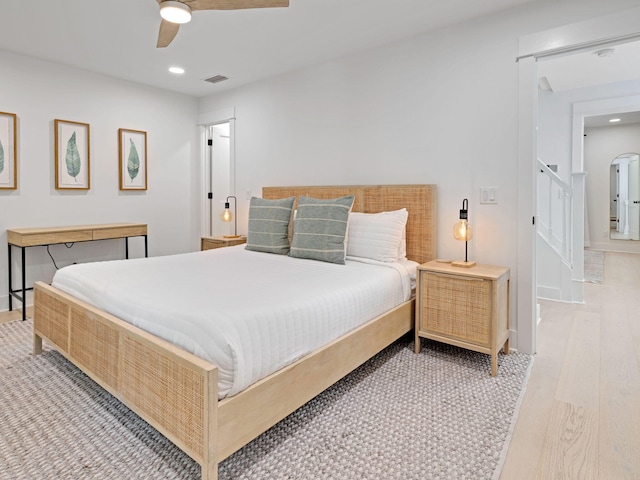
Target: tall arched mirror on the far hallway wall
{"type": "Point", "coordinates": [624, 199]}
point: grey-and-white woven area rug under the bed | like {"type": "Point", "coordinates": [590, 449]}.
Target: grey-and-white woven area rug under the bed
{"type": "Point", "coordinates": [436, 415]}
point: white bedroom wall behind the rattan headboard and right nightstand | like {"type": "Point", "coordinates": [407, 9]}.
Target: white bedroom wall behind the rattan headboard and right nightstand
{"type": "Point", "coordinates": [438, 108]}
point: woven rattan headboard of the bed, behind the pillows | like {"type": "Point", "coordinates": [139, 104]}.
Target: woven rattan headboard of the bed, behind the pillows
{"type": "Point", "coordinates": [419, 200]}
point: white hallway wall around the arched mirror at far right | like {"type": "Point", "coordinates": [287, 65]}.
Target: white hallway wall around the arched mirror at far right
{"type": "Point", "coordinates": [601, 146]}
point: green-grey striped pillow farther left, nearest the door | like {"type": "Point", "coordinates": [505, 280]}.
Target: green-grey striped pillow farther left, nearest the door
{"type": "Point", "coordinates": [269, 225]}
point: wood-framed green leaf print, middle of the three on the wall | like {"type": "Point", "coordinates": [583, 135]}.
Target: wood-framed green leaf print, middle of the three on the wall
{"type": "Point", "coordinates": [72, 155]}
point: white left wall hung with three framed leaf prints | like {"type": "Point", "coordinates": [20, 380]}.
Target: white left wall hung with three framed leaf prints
{"type": "Point", "coordinates": [39, 92]}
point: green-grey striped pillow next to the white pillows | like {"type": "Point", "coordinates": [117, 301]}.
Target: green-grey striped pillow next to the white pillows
{"type": "Point", "coordinates": [320, 228]}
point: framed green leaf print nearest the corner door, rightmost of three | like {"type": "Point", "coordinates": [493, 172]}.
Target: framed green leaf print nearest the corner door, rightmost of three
{"type": "Point", "coordinates": [132, 159]}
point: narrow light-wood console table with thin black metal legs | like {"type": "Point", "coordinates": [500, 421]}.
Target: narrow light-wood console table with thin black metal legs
{"type": "Point", "coordinates": [34, 237]}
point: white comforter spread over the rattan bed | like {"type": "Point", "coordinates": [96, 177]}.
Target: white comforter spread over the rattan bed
{"type": "Point", "coordinates": [247, 312]}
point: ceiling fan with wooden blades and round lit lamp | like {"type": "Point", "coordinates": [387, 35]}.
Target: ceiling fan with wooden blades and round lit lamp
{"type": "Point", "coordinates": [174, 13]}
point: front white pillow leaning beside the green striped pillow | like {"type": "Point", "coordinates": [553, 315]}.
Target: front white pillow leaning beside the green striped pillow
{"type": "Point", "coordinates": [376, 235]}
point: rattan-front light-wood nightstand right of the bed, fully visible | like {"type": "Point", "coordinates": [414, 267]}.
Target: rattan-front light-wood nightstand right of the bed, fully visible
{"type": "Point", "coordinates": [466, 307]}
